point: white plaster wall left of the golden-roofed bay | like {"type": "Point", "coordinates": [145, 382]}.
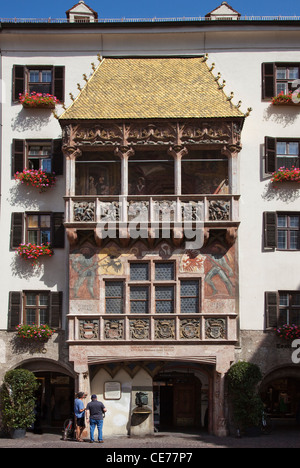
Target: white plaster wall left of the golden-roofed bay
{"type": "Point", "coordinates": [17, 274]}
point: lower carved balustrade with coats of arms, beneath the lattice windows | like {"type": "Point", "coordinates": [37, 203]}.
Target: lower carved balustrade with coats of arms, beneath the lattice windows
{"type": "Point", "coordinates": [153, 327]}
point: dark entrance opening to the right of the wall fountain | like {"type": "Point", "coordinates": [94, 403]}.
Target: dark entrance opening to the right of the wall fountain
{"type": "Point", "coordinates": [177, 401]}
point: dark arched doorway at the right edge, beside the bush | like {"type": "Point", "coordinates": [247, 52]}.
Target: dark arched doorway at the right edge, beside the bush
{"type": "Point", "coordinates": [280, 392]}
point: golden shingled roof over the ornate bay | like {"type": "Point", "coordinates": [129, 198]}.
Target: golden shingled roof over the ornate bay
{"type": "Point", "coordinates": [144, 88]}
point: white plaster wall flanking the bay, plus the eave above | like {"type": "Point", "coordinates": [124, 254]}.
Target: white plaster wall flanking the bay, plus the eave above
{"type": "Point", "coordinates": [238, 56]}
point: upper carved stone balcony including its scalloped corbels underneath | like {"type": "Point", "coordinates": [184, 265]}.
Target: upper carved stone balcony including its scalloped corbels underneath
{"type": "Point", "coordinates": [133, 216]}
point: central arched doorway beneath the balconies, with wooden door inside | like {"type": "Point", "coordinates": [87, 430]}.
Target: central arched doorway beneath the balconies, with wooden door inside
{"type": "Point", "coordinates": [180, 397]}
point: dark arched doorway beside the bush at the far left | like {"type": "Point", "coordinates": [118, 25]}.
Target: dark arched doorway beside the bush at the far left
{"type": "Point", "coordinates": [55, 396]}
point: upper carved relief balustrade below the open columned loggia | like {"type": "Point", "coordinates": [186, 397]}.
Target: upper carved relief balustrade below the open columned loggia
{"type": "Point", "coordinates": [84, 211]}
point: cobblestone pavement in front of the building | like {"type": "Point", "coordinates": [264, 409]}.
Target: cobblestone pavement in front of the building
{"type": "Point", "coordinates": [280, 438]}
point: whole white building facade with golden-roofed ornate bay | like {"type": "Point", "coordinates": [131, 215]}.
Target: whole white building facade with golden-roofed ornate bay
{"type": "Point", "coordinates": [169, 236]}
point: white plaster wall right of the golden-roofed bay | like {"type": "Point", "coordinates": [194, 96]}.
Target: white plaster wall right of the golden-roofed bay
{"type": "Point", "coordinates": [260, 271]}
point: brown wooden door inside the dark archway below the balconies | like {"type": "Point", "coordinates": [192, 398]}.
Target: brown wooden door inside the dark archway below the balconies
{"type": "Point", "coordinates": [184, 405]}
